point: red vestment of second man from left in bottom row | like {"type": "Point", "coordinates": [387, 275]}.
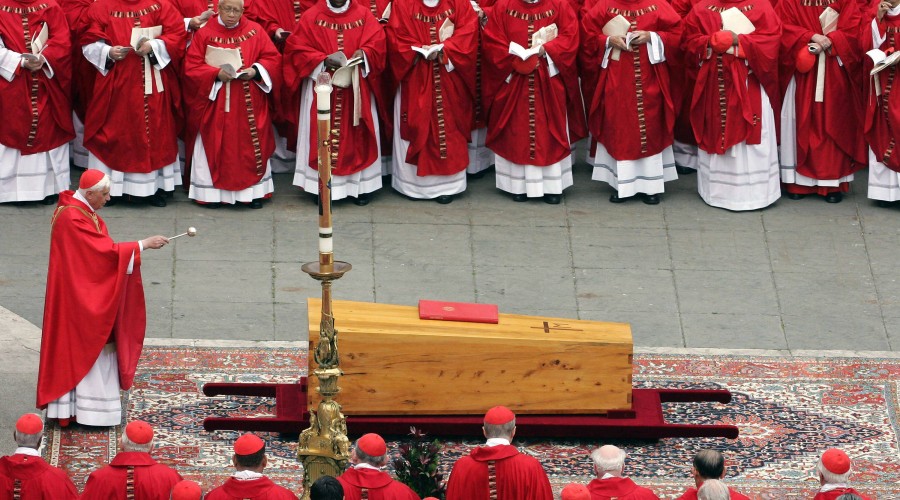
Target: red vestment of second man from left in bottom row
{"type": "Point", "coordinates": [151, 480]}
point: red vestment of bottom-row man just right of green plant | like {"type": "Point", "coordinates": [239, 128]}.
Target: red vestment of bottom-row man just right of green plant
{"type": "Point", "coordinates": [517, 476]}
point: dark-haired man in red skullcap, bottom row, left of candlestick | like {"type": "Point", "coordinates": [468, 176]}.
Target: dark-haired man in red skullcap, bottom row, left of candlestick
{"type": "Point", "coordinates": [248, 481]}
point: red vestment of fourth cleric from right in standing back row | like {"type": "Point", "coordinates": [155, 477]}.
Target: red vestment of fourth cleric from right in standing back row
{"type": "Point", "coordinates": [632, 112]}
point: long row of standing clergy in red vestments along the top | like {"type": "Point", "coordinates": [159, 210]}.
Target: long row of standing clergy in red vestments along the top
{"type": "Point", "coordinates": [446, 87]}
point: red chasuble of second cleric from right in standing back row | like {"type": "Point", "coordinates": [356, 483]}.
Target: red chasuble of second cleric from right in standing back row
{"type": "Point", "coordinates": [829, 142]}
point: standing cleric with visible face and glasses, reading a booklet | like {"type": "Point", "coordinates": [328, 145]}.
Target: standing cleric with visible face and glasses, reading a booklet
{"type": "Point", "coordinates": [230, 127]}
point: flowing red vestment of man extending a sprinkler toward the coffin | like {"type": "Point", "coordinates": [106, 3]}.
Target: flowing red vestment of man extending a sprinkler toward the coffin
{"type": "Point", "coordinates": [90, 300]}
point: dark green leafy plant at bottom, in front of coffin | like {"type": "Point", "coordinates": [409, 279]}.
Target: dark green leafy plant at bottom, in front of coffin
{"type": "Point", "coordinates": [417, 465]}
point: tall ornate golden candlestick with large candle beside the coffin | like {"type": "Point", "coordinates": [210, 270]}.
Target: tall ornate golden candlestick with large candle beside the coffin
{"type": "Point", "coordinates": [324, 448]}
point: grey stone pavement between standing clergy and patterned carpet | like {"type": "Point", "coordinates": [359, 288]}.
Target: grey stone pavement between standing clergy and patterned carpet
{"type": "Point", "coordinates": [800, 275]}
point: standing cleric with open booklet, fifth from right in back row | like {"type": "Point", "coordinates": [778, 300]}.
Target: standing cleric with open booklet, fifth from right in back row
{"type": "Point", "coordinates": [533, 105]}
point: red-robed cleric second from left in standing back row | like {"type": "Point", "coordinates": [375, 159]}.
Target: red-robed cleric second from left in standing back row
{"type": "Point", "coordinates": [132, 123]}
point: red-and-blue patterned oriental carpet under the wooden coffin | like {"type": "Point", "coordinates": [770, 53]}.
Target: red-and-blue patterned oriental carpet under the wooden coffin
{"type": "Point", "coordinates": [788, 411]}
